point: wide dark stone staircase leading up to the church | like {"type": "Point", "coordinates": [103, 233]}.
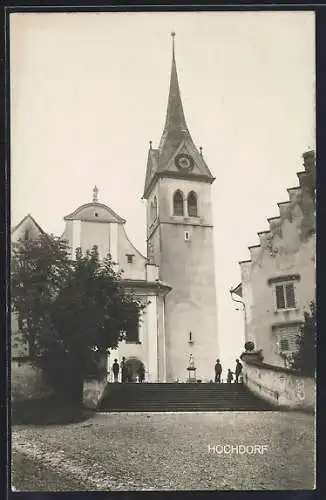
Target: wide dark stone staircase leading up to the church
{"type": "Point", "coordinates": [151, 397]}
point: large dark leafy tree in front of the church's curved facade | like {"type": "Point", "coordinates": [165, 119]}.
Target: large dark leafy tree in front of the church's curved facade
{"type": "Point", "coordinates": [73, 311]}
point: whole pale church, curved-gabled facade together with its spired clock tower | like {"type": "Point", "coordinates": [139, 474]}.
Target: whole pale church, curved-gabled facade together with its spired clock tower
{"type": "Point", "coordinates": [176, 279]}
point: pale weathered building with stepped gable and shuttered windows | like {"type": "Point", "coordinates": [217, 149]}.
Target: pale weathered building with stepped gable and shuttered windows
{"type": "Point", "coordinates": [278, 282]}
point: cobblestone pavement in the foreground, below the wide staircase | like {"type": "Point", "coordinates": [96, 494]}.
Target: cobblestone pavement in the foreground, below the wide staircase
{"type": "Point", "coordinates": [180, 451]}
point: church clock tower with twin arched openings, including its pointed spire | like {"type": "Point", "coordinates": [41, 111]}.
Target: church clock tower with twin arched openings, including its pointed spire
{"type": "Point", "coordinates": [180, 241]}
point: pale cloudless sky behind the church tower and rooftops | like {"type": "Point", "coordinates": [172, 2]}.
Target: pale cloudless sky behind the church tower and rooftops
{"type": "Point", "coordinates": [89, 91]}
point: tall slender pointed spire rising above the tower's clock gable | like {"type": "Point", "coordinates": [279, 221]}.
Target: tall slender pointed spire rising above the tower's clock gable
{"type": "Point", "coordinates": [175, 123]}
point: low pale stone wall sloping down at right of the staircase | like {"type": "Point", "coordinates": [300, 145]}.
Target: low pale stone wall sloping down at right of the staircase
{"type": "Point", "coordinates": [282, 387]}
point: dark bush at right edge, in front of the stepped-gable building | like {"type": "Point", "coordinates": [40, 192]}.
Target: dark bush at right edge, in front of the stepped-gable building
{"type": "Point", "coordinates": [304, 359]}
